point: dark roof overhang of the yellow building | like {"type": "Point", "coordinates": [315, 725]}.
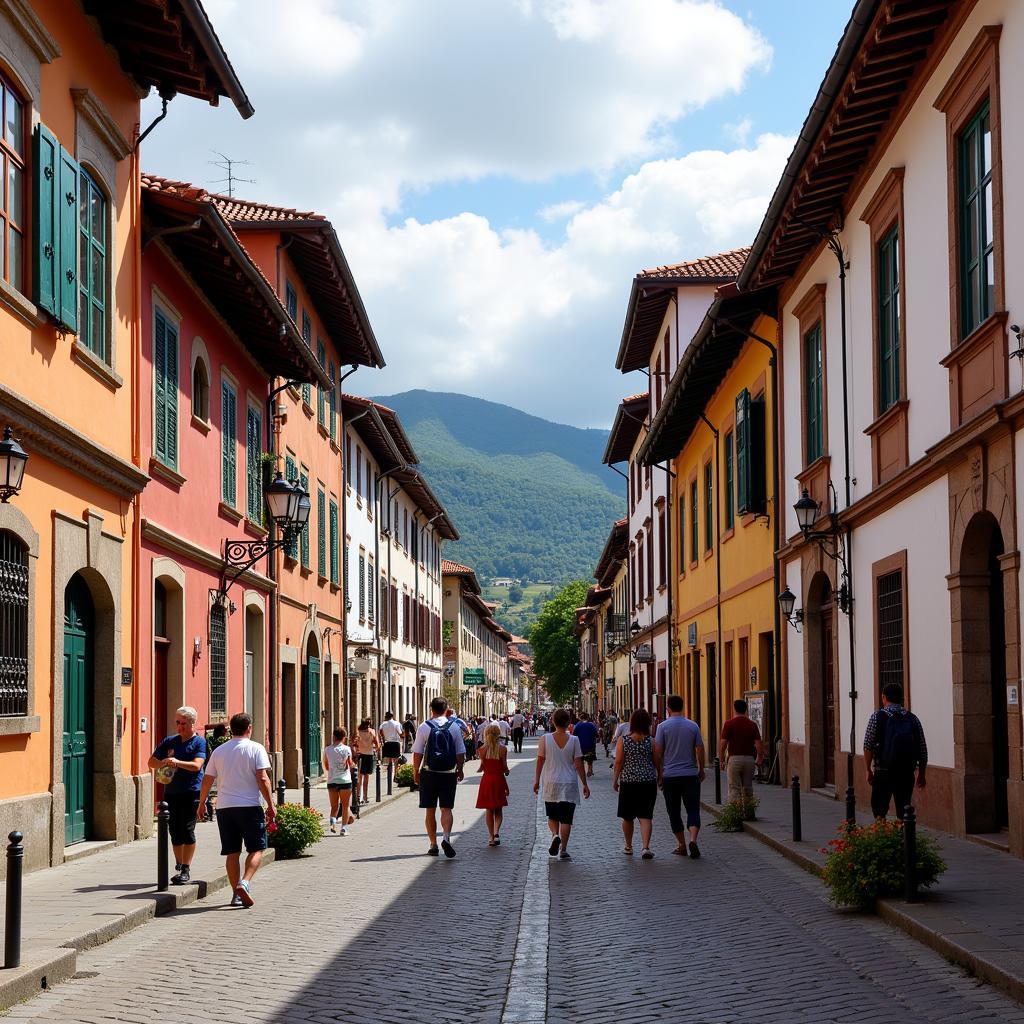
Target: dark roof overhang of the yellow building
{"type": "Point", "coordinates": [708, 359]}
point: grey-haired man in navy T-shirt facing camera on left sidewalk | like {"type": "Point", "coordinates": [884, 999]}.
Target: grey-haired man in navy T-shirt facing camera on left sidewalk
{"type": "Point", "coordinates": [179, 762]}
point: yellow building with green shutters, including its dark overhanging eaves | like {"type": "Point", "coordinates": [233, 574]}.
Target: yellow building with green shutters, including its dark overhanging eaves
{"type": "Point", "coordinates": [715, 430]}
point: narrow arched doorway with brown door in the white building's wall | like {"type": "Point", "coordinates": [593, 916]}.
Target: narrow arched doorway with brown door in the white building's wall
{"type": "Point", "coordinates": [820, 626]}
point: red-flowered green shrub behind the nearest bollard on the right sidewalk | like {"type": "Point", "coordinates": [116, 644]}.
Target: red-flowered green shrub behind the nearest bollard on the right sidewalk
{"type": "Point", "coordinates": [866, 864]}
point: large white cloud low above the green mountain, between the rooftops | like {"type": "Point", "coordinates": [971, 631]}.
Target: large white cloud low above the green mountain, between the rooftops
{"type": "Point", "coordinates": [459, 306]}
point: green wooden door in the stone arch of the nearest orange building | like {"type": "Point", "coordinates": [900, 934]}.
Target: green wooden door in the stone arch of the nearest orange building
{"type": "Point", "coordinates": [78, 647]}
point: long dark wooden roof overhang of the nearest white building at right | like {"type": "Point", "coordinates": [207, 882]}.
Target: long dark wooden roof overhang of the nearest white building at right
{"type": "Point", "coordinates": [885, 46]}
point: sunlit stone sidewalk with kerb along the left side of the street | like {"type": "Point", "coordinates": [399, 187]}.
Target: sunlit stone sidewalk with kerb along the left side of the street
{"type": "Point", "coordinates": [87, 903]}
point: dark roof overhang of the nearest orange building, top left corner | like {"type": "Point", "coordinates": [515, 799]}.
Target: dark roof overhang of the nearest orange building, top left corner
{"type": "Point", "coordinates": [169, 46]}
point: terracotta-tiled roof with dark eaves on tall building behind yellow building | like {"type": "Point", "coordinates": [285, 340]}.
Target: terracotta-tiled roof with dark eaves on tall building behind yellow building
{"type": "Point", "coordinates": [652, 293]}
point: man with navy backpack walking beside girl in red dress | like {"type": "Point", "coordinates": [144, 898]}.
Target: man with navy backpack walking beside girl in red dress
{"type": "Point", "coordinates": [439, 754]}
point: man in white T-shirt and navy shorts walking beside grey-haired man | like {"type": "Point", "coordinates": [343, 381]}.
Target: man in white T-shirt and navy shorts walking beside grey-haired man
{"type": "Point", "coordinates": [241, 769]}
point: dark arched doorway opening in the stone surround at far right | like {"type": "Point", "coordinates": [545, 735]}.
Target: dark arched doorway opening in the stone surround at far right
{"type": "Point", "coordinates": [979, 619]}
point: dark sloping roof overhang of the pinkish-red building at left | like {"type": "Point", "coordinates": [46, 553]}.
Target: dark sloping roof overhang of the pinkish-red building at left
{"type": "Point", "coordinates": [203, 243]}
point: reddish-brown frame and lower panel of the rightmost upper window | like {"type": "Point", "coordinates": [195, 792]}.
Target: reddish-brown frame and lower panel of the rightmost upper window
{"type": "Point", "coordinates": [977, 363]}
